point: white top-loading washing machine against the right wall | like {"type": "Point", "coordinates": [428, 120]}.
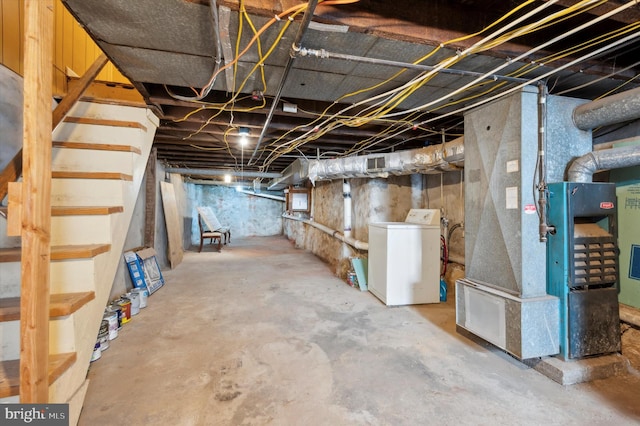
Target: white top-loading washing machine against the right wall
{"type": "Point", "coordinates": [404, 259]}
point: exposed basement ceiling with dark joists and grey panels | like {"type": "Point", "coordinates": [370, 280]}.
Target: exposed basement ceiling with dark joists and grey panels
{"type": "Point", "coordinates": [169, 46]}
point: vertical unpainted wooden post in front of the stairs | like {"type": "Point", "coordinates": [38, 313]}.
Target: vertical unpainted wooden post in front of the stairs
{"type": "Point", "coordinates": [36, 199]}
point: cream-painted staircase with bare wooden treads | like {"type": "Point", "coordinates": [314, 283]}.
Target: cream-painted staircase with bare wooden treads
{"type": "Point", "coordinates": [98, 161]}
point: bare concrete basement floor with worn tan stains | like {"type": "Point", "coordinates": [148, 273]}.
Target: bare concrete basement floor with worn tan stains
{"type": "Point", "coordinates": [262, 333]}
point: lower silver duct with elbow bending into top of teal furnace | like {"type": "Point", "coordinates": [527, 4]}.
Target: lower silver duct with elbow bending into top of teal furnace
{"type": "Point", "coordinates": [583, 168]}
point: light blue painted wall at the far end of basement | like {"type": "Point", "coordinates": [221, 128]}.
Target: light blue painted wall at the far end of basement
{"type": "Point", "coordinates": [245, 214]}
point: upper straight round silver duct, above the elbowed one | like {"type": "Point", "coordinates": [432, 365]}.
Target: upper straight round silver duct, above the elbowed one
{"type": "Point", "coordinates": [618, 108]}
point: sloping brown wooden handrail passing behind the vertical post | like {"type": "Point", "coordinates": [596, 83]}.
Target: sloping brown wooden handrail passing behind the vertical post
{"type": "Point", "coordinates": [13, 170]}
